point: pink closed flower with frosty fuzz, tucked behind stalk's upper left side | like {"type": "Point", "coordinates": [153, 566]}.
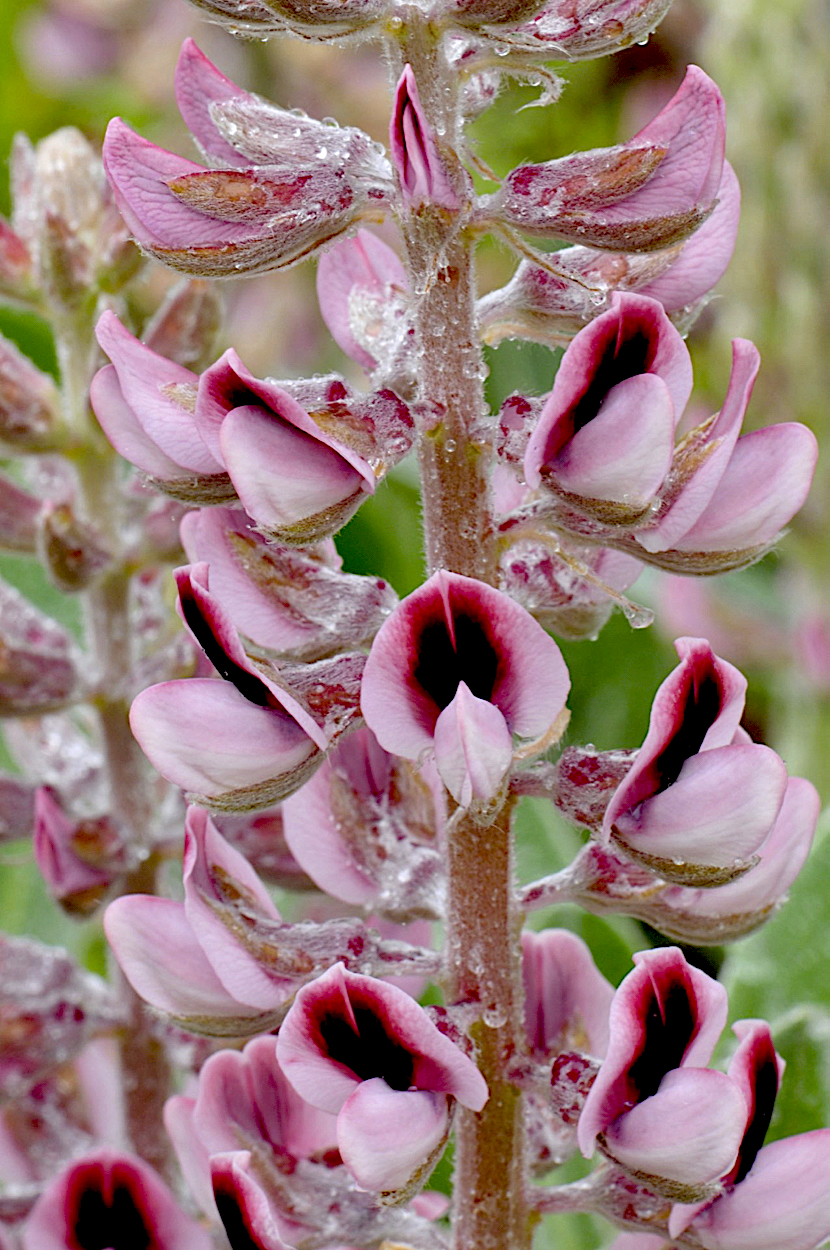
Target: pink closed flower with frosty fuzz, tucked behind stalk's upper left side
{"type": "Point", "coordinates": [362, 291]}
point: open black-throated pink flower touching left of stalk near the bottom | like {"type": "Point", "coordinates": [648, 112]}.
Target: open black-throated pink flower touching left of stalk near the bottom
{"type": "Point", "coordinates": [368, 1053]}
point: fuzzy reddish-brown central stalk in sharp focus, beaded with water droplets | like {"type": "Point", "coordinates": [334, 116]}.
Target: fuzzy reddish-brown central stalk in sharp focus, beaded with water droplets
{"type": "Point", "coordinates": [484, 967]}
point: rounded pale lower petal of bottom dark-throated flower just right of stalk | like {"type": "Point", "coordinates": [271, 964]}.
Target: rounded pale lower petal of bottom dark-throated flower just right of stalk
{"type": "Point", "coordinates": [689, 1132]}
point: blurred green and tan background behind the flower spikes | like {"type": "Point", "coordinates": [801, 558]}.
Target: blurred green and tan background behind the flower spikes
{"type": "Point", "coordinates": [81, 62]}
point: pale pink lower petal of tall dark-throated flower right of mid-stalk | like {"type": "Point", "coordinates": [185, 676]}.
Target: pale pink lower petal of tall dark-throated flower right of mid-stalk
{"type": "Point", "coordinates": [719, 811]}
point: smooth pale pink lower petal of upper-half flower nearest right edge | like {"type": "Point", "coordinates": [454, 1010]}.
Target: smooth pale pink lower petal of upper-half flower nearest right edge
{"type": "Point", "coordinates": [764, 486]}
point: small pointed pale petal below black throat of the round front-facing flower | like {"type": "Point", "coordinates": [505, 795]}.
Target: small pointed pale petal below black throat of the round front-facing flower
{"type": "Point", "coordinates": [473, 748]}
